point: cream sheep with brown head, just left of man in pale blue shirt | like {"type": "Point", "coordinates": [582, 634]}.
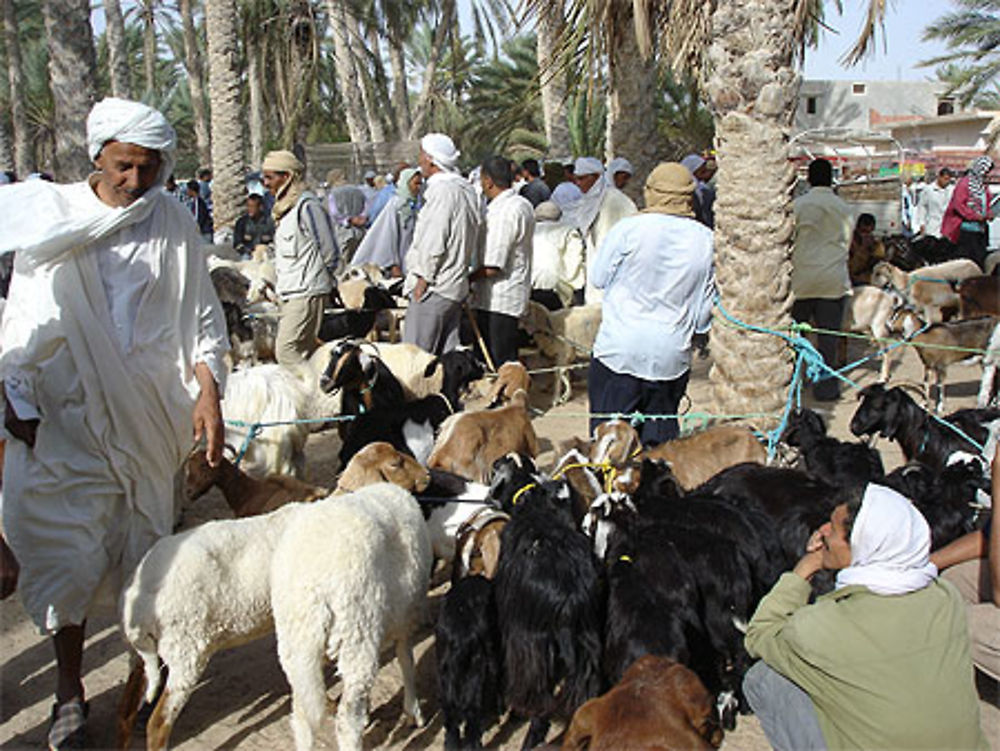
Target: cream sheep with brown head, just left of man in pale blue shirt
{"type": "Point", "coordinates": [564, 337]}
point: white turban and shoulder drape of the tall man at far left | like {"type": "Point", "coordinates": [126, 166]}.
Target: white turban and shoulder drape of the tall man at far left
{"type": "Point", "coordinates": [73, 218]}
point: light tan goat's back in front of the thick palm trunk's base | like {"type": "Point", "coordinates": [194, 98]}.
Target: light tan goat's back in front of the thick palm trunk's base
{"type": "Point", "coordinates": [700, 456]}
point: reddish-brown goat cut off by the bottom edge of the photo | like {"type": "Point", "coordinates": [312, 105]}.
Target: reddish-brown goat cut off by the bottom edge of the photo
{"type": "Point", "coordinates": [659, 705]}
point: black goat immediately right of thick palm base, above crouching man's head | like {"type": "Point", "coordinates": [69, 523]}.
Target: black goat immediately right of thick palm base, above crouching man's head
{"type": "Point", "coordinates": [837, 463]}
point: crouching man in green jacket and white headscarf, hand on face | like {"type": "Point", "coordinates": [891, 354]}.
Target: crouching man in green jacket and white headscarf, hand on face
{"type": "Point", "coordinates": [880, 662]}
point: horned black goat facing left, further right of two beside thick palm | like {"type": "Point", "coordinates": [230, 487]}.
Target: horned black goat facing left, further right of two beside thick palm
{"type": "Point", "coordinates": [894, 415]}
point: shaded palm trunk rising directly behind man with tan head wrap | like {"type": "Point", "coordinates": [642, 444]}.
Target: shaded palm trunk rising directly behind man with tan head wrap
{"type": "Point", "coordinates": [632, 128]}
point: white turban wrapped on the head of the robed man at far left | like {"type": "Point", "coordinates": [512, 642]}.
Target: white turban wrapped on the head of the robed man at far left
{"type": "Point", "coordinates": [122, 120]}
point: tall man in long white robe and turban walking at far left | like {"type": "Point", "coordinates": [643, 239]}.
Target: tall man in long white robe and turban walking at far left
{"type": "Point", "coordinates": [113, 341]}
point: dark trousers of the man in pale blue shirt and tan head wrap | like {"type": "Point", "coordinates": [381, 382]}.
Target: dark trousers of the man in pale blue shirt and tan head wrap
{"type": "Point", "coordinates": [612, 392]}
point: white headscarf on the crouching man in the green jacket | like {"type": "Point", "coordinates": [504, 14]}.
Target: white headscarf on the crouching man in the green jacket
{"type": "Point", "coordinates": [890, 545]}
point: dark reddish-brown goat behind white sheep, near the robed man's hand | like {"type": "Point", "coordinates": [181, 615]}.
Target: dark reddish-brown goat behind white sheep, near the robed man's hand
{"type": "Point", "coordinates": [246, 495]}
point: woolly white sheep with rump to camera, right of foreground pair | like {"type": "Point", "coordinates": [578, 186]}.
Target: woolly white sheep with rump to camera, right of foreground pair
{"type": "Point", "coordinates": [348, 576]}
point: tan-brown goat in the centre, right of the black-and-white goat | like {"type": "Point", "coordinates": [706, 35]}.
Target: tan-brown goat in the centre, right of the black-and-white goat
{"type": "Point", "coordinates": [470, 442]}
